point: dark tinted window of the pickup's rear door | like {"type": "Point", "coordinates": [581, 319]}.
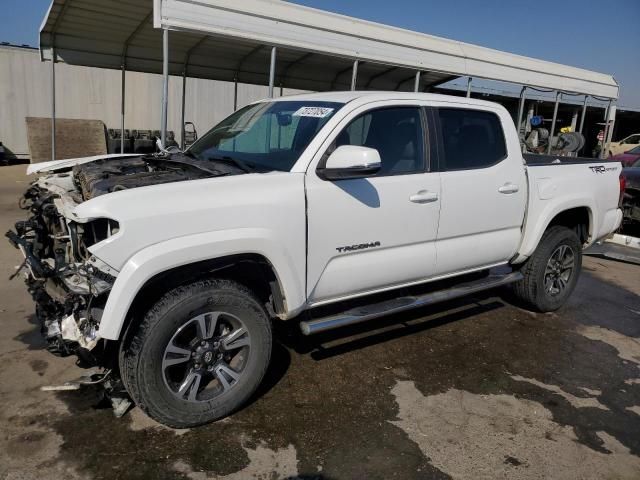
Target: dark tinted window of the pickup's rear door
{"type": "Point", "coordinates": [471, 139]}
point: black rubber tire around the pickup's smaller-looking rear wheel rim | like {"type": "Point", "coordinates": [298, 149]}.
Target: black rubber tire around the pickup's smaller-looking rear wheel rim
{"type": "Point", "coordinates": [532, 289]}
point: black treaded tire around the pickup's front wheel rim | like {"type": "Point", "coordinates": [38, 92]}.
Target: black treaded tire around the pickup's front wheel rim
{"type": "Point", "coordinates": [145, 348]}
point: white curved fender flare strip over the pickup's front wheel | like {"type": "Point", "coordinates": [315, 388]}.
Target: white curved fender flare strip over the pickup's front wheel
{"type": "Point", "coordinates": [181, 251]}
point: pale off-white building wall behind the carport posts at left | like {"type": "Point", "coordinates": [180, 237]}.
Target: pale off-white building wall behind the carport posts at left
{"type": "Point", "coordinates": [94, 94]}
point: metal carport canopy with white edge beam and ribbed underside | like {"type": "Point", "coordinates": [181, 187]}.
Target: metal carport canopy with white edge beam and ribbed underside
{"type": "Point", "coordinates": [232, 39]}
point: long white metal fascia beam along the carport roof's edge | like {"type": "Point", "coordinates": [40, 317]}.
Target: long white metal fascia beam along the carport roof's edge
{"type": "Point", "coordinates": [306, 29]}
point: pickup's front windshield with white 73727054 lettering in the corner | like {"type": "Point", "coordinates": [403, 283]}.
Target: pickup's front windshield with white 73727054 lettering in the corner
{"type": "Point", "coordinates": [265, 136]}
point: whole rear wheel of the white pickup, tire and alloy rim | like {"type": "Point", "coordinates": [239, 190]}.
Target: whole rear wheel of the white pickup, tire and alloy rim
{"type": "Point", "coordinates": [551, 273]}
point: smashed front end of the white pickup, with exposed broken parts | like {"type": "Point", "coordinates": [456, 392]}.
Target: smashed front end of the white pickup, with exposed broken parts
{"type": "Point", "coordinates": [68, 284]}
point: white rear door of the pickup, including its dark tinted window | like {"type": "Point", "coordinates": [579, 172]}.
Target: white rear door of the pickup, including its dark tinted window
{"type": "Point", "coordinates": [484, 189]}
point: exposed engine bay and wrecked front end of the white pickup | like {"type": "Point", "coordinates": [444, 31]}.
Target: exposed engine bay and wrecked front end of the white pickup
{"type": "Point", "coordinates": [68, 284]}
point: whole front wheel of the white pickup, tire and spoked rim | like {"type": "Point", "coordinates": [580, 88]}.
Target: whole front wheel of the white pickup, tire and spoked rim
{"type": "Point", "coordinates": [199, 353]}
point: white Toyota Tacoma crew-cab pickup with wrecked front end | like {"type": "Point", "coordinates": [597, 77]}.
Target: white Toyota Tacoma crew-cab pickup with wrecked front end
{"type": "Point", "coordinates": [168, 270]}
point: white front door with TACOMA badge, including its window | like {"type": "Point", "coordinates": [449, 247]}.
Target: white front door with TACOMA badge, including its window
{"type": "Point", "coordinates": [379, 232]}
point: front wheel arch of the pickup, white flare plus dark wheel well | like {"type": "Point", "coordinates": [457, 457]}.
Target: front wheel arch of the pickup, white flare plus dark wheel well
{"type": "Point", "coordinates": [256, 262]}
